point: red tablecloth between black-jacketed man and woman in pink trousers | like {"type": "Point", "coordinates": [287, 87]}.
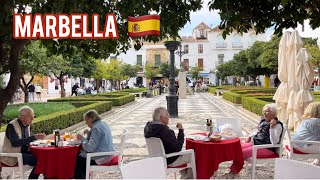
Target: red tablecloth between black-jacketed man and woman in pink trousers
{"type": "Point", "coordinates": [210, 154]}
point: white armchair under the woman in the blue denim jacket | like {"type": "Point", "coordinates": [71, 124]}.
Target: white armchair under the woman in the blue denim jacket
{"type": "Point", "coordinates": [114, 165]}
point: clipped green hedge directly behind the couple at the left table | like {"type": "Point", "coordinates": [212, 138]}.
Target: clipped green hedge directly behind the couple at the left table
{"type": "Point", "coordinates": [64, 119]}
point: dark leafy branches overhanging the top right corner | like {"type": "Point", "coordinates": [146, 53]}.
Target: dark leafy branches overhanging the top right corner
{"type": "Point", "coordinates": [242, 15]}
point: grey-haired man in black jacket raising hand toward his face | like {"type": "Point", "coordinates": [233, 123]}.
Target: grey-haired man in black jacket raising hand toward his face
{"type": "Point", "coordinates": [159, 128]}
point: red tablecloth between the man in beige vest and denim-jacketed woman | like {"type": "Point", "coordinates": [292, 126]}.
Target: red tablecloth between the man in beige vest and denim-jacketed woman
{"type": "Point", "coordinates": [55, 162]}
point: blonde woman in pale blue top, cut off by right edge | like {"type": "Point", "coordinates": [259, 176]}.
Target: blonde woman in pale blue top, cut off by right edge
{"type": "Point", "coordinates": [309, 130]}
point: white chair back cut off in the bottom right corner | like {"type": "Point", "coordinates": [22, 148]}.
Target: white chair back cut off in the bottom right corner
{"type": "Point", "coordinates": [291, 169]}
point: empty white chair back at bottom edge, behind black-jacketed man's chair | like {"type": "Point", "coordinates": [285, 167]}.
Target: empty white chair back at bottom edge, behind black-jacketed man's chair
{"type": "Point", "coordinates": [150, 168]}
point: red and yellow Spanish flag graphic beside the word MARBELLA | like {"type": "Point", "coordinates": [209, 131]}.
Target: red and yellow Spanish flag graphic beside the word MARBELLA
{"type": "Point", "coordinates": [144, 25]}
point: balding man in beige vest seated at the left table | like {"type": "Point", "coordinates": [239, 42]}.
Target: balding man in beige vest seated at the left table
{"type": "Point", "coordinates": [17, 139]}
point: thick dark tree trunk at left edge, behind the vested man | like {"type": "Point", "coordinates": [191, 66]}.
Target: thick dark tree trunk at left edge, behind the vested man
{"type": "Point", "coordinates": [7, 93]}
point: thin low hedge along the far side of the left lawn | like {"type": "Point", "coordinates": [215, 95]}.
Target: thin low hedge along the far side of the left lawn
{"type": "Point", "coordinates": [116, 101]}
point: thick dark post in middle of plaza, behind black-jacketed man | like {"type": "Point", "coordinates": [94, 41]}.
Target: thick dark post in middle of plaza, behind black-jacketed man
{"type": "Point", "coordinates": [172, 98]}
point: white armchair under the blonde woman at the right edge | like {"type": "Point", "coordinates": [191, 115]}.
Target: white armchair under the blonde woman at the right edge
{"type": "Point", "coordinates": [295, 154]}
